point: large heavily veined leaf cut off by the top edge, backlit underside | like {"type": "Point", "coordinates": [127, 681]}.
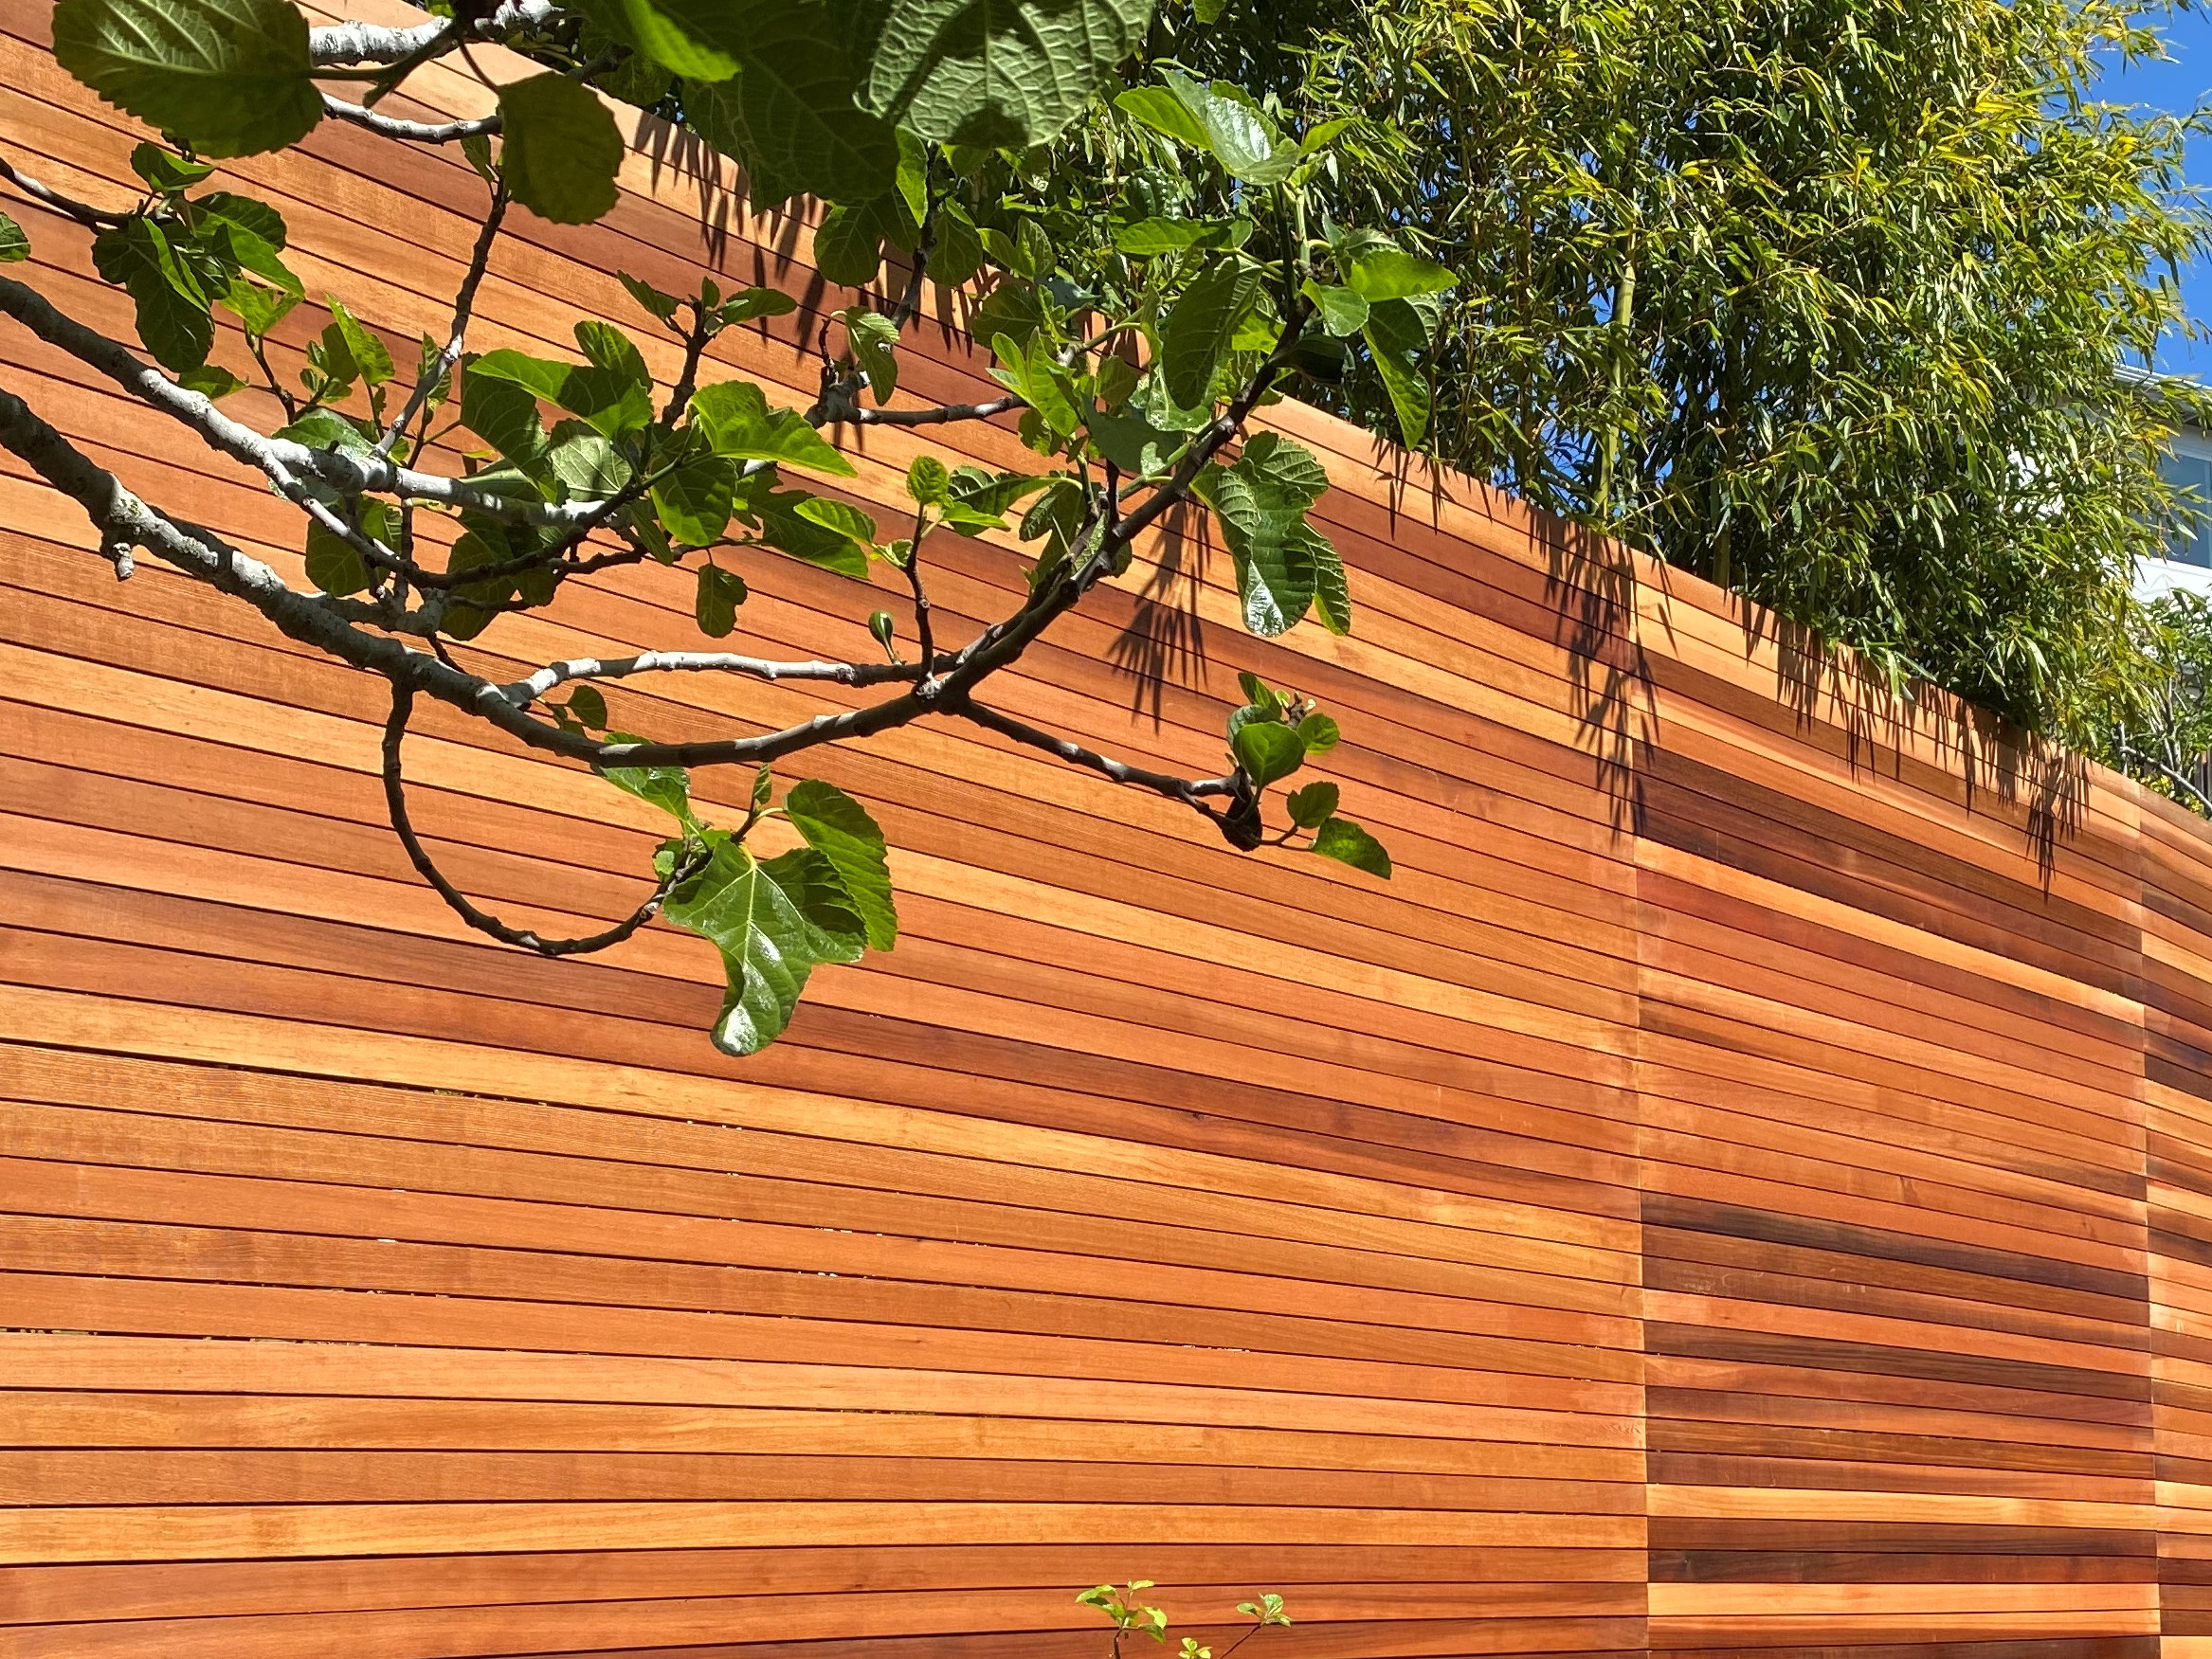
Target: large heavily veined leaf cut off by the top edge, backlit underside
{"type": "Point", "coordinates": [999, 74]}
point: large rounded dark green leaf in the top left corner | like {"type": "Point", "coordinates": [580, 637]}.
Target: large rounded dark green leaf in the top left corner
{"type": "Point", "coordinates": [227, 76]}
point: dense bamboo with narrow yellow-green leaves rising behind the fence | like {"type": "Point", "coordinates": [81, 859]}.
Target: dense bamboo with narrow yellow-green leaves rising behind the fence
{"type": "Point", "coordinates": [1822, 300]}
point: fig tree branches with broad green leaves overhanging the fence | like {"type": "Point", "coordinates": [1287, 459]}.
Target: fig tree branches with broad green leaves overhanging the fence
{"type": "Point", "coordinates": [1125, 309]}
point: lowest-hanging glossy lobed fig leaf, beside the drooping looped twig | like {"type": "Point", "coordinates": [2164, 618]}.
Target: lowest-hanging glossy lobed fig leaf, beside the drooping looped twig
{"type": "Point", "coordinates": [773, 921]}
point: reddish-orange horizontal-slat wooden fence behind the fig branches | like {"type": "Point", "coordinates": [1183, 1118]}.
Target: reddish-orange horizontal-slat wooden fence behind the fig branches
{"type": "Point", "coordinates": [1735, 1191]}
